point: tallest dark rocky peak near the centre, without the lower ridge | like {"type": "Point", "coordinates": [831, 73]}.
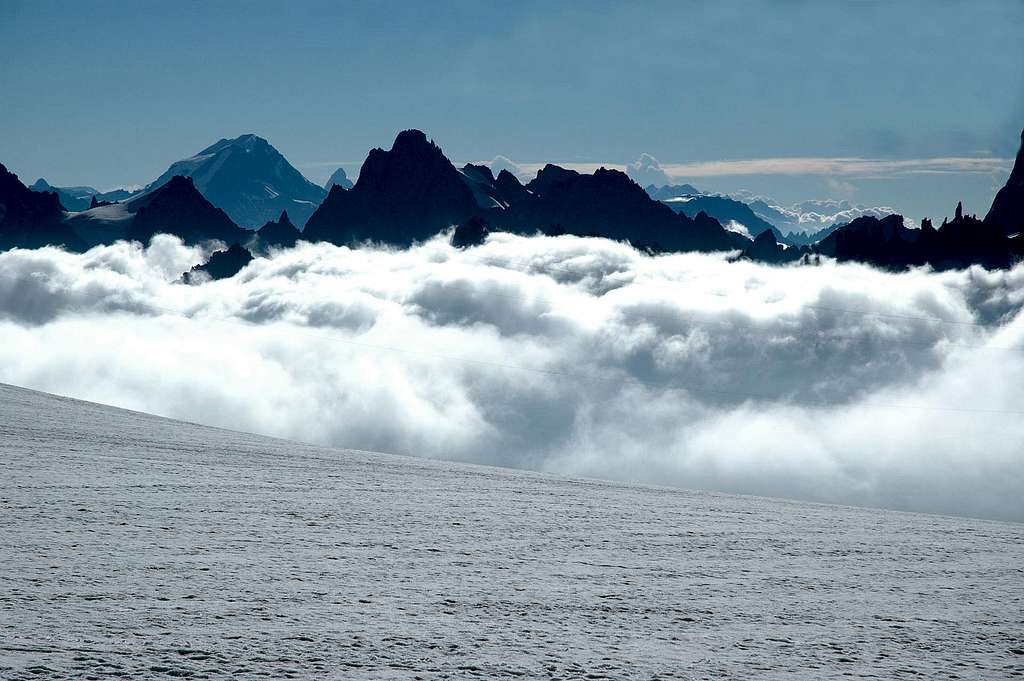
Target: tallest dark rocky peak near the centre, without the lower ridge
{"type": "Point", "coordinates": [404, 195]}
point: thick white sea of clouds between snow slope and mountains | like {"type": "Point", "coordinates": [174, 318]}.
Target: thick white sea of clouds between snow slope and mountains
{"type": "Point", "coordinates": [832, 384]}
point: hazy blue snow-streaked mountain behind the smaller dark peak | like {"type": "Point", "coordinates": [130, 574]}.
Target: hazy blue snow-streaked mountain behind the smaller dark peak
{"type": "Point", "coordinates": [249, 180]}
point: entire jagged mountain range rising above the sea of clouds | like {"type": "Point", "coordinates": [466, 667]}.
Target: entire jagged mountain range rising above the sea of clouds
{"type": "Point", "coordinates": [412, 192]}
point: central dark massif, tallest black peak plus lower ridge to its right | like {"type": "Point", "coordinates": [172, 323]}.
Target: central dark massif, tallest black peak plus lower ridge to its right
{"type": "Point", "coordinates": [412, 193]}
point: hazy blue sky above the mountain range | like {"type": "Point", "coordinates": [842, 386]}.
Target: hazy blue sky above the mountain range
{"type": "Point", "coordinates": [98, 94]}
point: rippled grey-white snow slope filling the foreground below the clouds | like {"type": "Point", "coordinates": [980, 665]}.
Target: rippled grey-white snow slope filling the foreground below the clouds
{"type": "Point", "coordinates": [143, 547]}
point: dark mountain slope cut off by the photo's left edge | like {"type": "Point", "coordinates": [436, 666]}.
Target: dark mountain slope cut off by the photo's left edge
{"type": "Point", "coordinates": [32, 220]}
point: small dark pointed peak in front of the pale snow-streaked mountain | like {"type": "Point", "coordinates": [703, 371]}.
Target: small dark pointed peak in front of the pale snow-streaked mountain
{"type": "Point", "coordinates": [178, 208]}
